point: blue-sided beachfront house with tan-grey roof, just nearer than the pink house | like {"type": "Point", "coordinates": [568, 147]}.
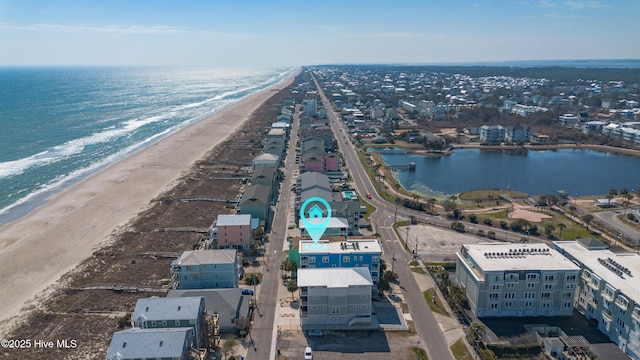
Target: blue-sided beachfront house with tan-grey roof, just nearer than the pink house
{"type": "Point", "coordinates": [206, 269]}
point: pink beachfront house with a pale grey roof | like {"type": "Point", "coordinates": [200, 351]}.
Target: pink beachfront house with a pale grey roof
{"type": "Point", "coordinates": [233, 231]}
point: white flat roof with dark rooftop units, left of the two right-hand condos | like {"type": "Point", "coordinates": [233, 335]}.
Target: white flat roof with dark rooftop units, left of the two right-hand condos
{"type": "Point", "coordinates": [505, 257]}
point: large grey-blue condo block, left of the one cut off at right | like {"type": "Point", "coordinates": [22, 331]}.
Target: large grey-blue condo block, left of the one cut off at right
{"type": "Point", "coordinates": [516, 280]}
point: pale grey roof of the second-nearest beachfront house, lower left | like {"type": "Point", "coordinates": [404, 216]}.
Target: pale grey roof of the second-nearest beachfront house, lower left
{"type": "Point", "coordinates": [162, 308]}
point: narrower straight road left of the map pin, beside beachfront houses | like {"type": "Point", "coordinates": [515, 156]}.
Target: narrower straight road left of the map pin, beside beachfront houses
{"type": "Point", "coordinates": [262, 333]}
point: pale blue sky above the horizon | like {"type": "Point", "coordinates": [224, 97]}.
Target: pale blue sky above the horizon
{"type": "Point", "coordinates": [284, 32]}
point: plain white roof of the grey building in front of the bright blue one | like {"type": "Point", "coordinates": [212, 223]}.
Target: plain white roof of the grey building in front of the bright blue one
{"type": "Point", "coordinates": [335, 277]}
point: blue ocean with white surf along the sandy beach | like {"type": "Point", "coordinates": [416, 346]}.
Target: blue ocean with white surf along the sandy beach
{"type": "Point", "coordinates": [60, 124]}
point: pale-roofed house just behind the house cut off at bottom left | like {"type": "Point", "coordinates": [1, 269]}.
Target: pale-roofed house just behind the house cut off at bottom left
{"type": "Point", "coordinates": [161, 312]}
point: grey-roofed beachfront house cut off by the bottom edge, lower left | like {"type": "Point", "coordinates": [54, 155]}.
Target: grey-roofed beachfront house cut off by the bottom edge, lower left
{"type": "Point", "coordinates": [151, 344]}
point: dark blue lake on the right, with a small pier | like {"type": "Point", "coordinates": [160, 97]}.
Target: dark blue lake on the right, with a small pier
{"type": "Point", "coordinates": [577, 171]}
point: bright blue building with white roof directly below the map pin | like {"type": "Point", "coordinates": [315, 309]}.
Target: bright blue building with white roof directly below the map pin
{"type": "Point", "coordinates": [360, 253]}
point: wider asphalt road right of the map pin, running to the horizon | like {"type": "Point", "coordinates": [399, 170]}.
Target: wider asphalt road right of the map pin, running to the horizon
{"type": "Point", "coordinates": [382, 219]}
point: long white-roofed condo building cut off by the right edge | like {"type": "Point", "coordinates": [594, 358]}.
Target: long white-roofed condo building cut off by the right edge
{"type": "Point", "coordinates": [608, 290]}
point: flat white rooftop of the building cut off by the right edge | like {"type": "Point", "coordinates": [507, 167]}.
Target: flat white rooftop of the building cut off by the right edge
{"type": "Point", "coordinates": [603, 262]}
